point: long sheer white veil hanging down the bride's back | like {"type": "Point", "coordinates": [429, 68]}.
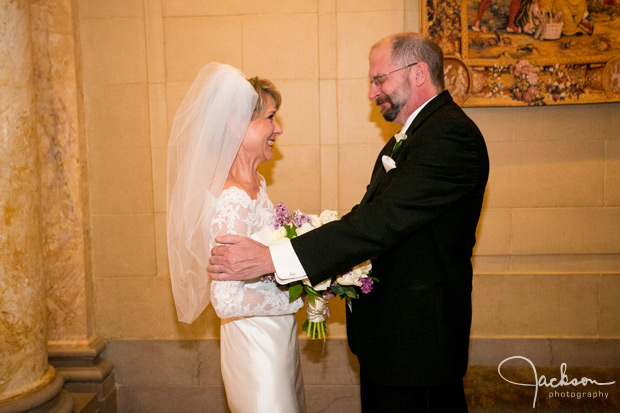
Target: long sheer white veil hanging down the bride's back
{"type": "Point", "coordinates": [207, 131]}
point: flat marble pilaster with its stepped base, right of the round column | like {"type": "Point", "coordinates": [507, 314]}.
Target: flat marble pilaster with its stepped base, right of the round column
{"type": "Point", "coordinates": [74, 350]}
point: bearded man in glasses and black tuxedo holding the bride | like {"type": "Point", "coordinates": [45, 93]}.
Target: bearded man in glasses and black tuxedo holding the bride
{"type": "Point", "coordinates": [417, 221]}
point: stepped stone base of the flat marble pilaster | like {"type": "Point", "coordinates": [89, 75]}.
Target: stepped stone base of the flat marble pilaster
{"type": "Point", "coordinates": [84, 371]}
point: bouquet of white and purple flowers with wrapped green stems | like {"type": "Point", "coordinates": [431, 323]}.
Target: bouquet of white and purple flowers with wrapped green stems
{"type": "Point", "coordinates": [291, 224]}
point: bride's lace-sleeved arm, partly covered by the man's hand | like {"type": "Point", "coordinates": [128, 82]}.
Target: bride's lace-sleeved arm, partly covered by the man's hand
{"type": "Point", "coordinates": [245, 298]}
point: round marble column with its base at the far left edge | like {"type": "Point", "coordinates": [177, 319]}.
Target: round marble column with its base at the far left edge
{"type": "Point", "coordinates": [27, 381]}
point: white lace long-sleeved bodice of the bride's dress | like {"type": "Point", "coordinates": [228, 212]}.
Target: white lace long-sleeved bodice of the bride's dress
{"type": "Point", "coordinates": [237, 213]}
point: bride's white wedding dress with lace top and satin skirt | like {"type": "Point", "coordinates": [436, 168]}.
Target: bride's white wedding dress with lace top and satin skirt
{"type": "Point", "coordinates": [259, 349]}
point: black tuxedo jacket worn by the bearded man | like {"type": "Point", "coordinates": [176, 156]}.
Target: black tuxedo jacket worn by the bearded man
{"type": "Point", "coordinates": [417, 222]}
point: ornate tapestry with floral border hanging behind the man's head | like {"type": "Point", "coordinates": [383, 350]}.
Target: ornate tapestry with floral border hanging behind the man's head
{"type": "Point", "coordinates": [527, 52]}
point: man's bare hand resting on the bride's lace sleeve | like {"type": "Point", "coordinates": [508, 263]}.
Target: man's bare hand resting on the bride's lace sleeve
{"type": "Point", "coordinates": [241, 258]}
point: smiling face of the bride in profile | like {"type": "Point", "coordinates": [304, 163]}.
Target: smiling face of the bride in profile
{"type": "Point", "coordinates": [261, 133]}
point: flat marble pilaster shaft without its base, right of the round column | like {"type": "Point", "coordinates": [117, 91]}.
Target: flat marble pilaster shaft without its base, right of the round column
{"type": "Point", "coordinates": [63, 191]}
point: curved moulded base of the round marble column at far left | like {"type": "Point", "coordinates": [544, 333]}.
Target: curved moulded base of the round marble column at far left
{"type": "Point", "coordinates": [49, 398]}
